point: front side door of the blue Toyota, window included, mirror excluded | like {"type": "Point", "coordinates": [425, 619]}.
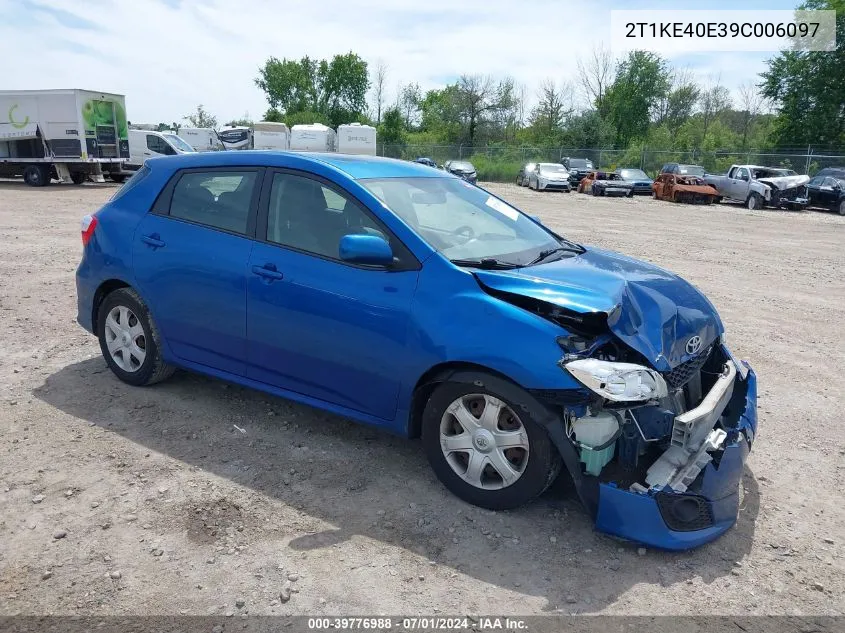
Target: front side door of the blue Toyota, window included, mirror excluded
{"type": "Point", "coordinates": [317, 325]}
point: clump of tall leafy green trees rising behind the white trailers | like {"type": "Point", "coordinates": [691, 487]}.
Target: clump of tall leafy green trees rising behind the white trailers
{"type": "Point", "coordinates": [335, 89]}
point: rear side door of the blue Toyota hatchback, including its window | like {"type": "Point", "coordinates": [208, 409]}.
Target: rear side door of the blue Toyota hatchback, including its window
{"type": "Point", "coordinates": [190, 257]}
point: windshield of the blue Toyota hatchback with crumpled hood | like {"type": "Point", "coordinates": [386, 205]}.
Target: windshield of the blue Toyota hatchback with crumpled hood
{"type": "Point", "coordinates": [464, 222]}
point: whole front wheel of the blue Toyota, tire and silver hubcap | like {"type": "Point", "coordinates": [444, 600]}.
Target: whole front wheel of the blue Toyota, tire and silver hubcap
{"type": "Point", "coordinates": [484, 449]}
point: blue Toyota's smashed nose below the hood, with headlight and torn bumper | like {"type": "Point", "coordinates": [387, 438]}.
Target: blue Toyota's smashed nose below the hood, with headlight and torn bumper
{"type": "Point", "coordinates": [661, 454]}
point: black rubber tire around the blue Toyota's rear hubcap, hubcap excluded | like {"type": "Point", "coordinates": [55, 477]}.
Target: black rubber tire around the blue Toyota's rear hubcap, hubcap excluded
{"type": "Point", "coordinates": [153, 369]}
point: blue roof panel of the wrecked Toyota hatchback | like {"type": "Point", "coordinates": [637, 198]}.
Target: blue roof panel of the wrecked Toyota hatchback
{"type": "Point", "coordinates": [354, 166]}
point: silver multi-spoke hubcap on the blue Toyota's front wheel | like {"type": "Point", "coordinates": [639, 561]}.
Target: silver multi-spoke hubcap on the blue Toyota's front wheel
{"type": "Point", "coordinates": [484, 441]}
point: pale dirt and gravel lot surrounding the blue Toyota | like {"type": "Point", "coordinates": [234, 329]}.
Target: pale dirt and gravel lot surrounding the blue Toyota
{"type": "Point", "coordinates": [120, 500]}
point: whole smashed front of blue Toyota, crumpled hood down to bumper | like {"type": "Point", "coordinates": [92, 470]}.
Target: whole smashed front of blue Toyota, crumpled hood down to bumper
{"type": "Point", "coordinates": [657, 435]}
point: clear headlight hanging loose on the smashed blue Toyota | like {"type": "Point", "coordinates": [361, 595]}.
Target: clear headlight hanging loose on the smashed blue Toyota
{"type": "Point", "coordinates": [618, 382]}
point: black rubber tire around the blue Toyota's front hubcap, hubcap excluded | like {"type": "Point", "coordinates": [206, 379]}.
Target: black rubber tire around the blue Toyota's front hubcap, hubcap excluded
{"type": "Point", "coordinates": [542, 468]}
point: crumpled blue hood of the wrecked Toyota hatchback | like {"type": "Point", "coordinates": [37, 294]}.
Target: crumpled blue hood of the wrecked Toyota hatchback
{"type": "Point", "coordinates": [653, 311]}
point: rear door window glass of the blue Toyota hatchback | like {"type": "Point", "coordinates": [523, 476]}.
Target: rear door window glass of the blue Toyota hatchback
{"type": "Point", "coordinates": [217, 199]}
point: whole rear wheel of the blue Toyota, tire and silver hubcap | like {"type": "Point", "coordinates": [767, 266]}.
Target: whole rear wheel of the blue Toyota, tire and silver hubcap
{"type": "Point", "coordinates": [129, 339]}
